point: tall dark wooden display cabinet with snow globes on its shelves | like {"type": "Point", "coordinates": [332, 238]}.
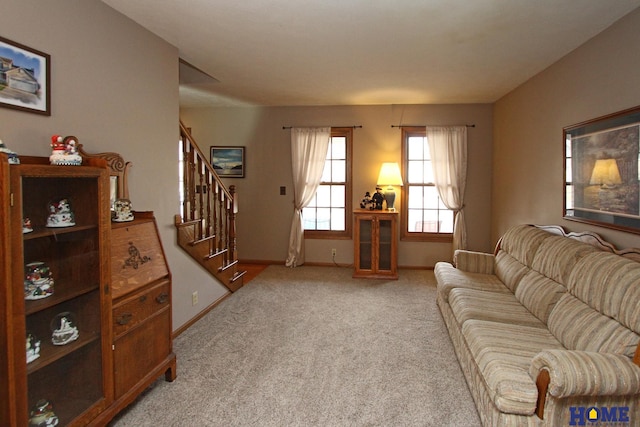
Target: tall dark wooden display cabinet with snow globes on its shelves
{"type": "Point", "coordinates": [75, 377]}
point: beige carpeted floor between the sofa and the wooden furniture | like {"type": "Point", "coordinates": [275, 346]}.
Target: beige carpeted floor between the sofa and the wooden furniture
{"type": "Point", "coordinates": [311, 346]}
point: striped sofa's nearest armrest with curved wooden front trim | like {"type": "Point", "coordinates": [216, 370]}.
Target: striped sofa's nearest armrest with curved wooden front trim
{"type": "Point", "coordinates": [564, 373]}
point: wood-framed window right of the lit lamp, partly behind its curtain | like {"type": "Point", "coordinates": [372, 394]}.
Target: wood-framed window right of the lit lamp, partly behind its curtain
{"type": "Point", "coordinates": [425, 216]}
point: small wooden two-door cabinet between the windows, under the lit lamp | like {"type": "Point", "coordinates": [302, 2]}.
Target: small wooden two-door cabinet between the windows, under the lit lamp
{"type": "Point", "coordinates": [376, 244]}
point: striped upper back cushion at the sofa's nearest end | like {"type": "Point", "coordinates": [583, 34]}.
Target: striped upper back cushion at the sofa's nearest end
{"type": "Point", "coordinates": [610, 284]}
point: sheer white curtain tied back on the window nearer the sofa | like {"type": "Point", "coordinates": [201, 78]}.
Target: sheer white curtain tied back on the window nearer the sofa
{"type": "Point", "coordinates": [448, 148]}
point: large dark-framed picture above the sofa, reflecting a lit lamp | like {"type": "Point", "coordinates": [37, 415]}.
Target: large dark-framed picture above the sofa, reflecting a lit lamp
{"type": "Point", "coordinates": [601, 171]}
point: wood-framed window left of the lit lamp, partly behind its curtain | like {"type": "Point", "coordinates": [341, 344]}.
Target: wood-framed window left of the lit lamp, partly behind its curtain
{"type": "Point", "coordinates": [326, 214]}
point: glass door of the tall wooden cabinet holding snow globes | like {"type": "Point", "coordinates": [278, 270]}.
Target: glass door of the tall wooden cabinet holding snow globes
{"type": "Point", "coordinates": [60, 217]}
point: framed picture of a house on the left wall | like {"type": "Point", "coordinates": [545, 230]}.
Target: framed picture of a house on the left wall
{"type": "Point", "coordinates": [25, 78]}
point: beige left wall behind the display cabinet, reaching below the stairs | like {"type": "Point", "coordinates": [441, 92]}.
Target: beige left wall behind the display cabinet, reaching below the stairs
{"type": "Point", "coordinates": [114, 86]}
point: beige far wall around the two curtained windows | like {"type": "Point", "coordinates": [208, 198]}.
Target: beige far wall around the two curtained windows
{"type": "Point", "coordinates": [265, 216]}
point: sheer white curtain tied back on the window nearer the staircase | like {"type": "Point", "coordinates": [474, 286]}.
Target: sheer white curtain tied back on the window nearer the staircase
{"type": "Point", "coordinates": [308, 153]}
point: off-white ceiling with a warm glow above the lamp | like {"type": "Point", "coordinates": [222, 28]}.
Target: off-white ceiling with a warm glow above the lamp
{"type": "Point", "coordinates": [366, 52]}
